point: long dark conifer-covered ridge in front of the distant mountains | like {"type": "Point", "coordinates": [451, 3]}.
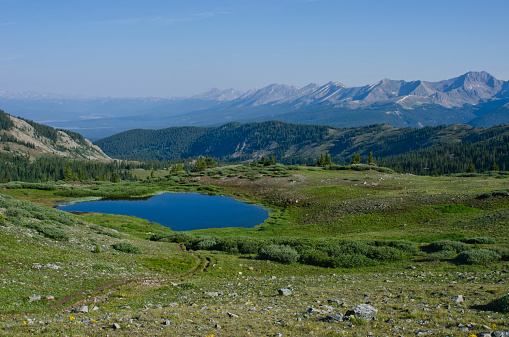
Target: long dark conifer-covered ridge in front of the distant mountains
{"type": "Point", "coordinates": [428, 150]}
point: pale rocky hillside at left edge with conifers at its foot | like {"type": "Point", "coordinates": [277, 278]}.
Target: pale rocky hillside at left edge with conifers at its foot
{"type": "Point", "coordinates": [33, 152]}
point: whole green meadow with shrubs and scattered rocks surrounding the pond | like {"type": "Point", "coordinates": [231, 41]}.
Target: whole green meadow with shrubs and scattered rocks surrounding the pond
{"type": "Point", "coordinates": [208, 282]}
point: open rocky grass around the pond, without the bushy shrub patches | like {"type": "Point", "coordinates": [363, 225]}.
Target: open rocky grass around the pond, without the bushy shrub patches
{"type": "Point", "coordinates": [313, 203]}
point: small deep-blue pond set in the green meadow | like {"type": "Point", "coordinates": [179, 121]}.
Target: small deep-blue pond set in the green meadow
{"type": "Point", "coordinates": [181, 211]}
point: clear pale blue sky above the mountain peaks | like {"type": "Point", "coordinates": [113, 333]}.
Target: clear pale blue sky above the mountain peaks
{"type": "Point", "coordinates": [178, 48]}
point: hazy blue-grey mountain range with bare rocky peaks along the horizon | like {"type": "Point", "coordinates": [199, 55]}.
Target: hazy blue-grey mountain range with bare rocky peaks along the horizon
{"type": "Point", "coordinates": [475, 98]}
